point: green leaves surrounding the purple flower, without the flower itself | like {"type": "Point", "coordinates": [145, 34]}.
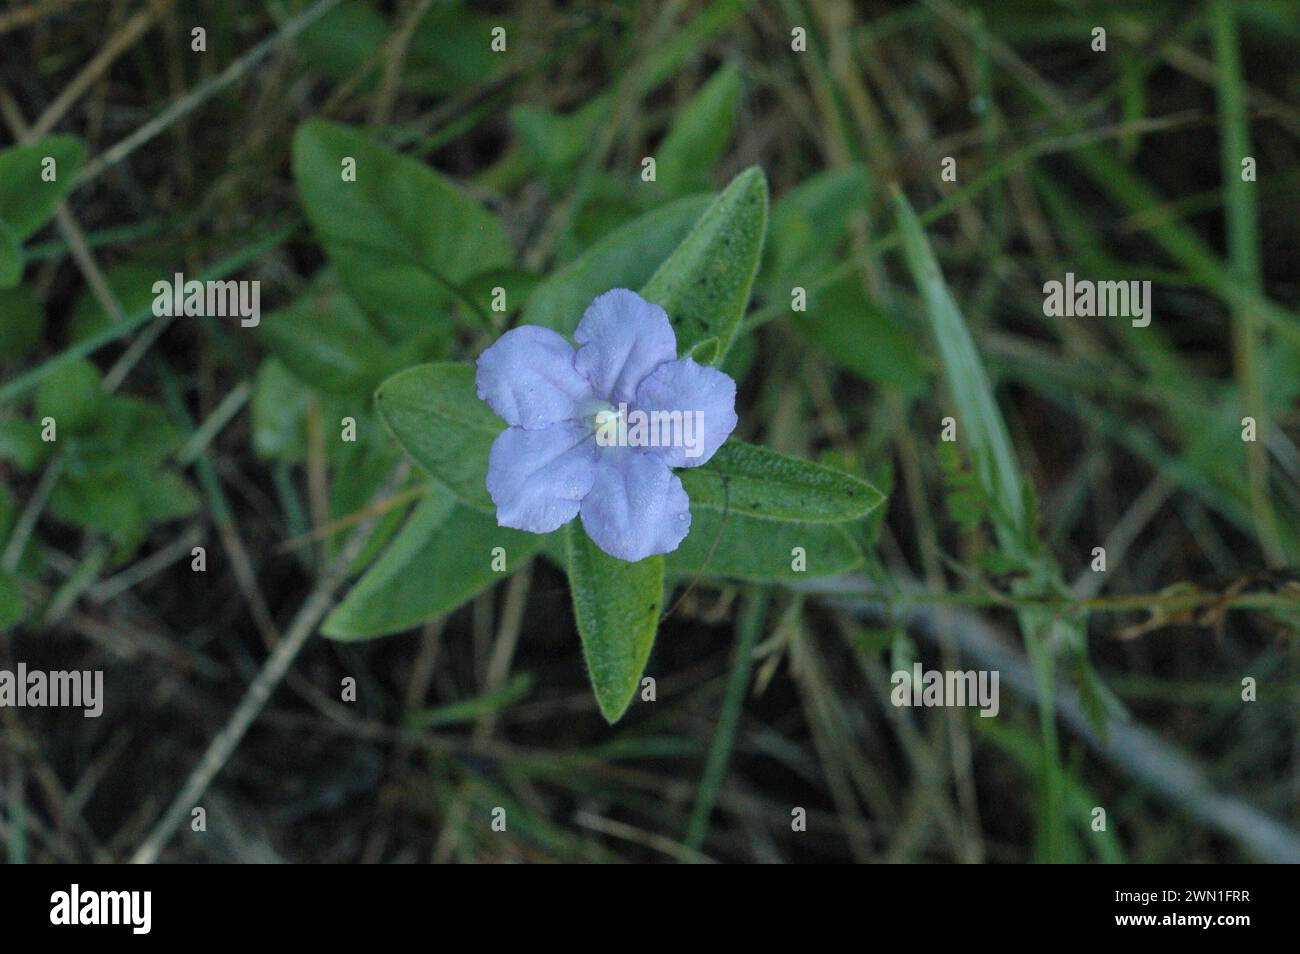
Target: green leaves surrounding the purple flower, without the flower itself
{"type": "Point", "coordinates": [404, 242]}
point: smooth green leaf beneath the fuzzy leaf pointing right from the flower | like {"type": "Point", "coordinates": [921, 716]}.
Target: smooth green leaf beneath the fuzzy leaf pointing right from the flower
{"type": "Point", "coordinates": [761, 550]}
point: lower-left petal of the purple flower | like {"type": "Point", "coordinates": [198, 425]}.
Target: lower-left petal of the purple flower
{"type": "Point", "coordinates": [539, 478]}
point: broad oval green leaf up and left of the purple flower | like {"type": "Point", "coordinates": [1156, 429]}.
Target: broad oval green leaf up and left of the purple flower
{"type": "Point", "coordinates": [402, 237]}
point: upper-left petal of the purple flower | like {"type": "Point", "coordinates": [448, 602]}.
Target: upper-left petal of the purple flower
{"type": "Point", "coordinates": [530, 380]}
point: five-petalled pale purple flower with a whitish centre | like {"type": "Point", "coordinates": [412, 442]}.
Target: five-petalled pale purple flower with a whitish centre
{"type": "Point", "coordinates": [596, 431]}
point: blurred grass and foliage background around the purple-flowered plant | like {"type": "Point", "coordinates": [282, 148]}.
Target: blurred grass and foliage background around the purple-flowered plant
{"type": "Point", "coordinates": [773, 692]}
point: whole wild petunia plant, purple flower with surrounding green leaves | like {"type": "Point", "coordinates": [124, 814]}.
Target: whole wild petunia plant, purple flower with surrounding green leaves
{"type": "Point", "coordinates": [586, 426]}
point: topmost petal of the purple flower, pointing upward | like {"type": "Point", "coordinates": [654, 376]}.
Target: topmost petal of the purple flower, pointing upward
{"type": "Point", "coordinates": [623, 339]}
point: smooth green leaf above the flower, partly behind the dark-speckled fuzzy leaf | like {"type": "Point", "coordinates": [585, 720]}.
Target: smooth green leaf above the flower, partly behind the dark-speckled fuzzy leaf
{"type": "Point", "coordinates": [625, 259]}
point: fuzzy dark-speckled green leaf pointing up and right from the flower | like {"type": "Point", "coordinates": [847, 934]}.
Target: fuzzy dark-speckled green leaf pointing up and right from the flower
{"type": "Point", "coordinates": [705, 284]}
